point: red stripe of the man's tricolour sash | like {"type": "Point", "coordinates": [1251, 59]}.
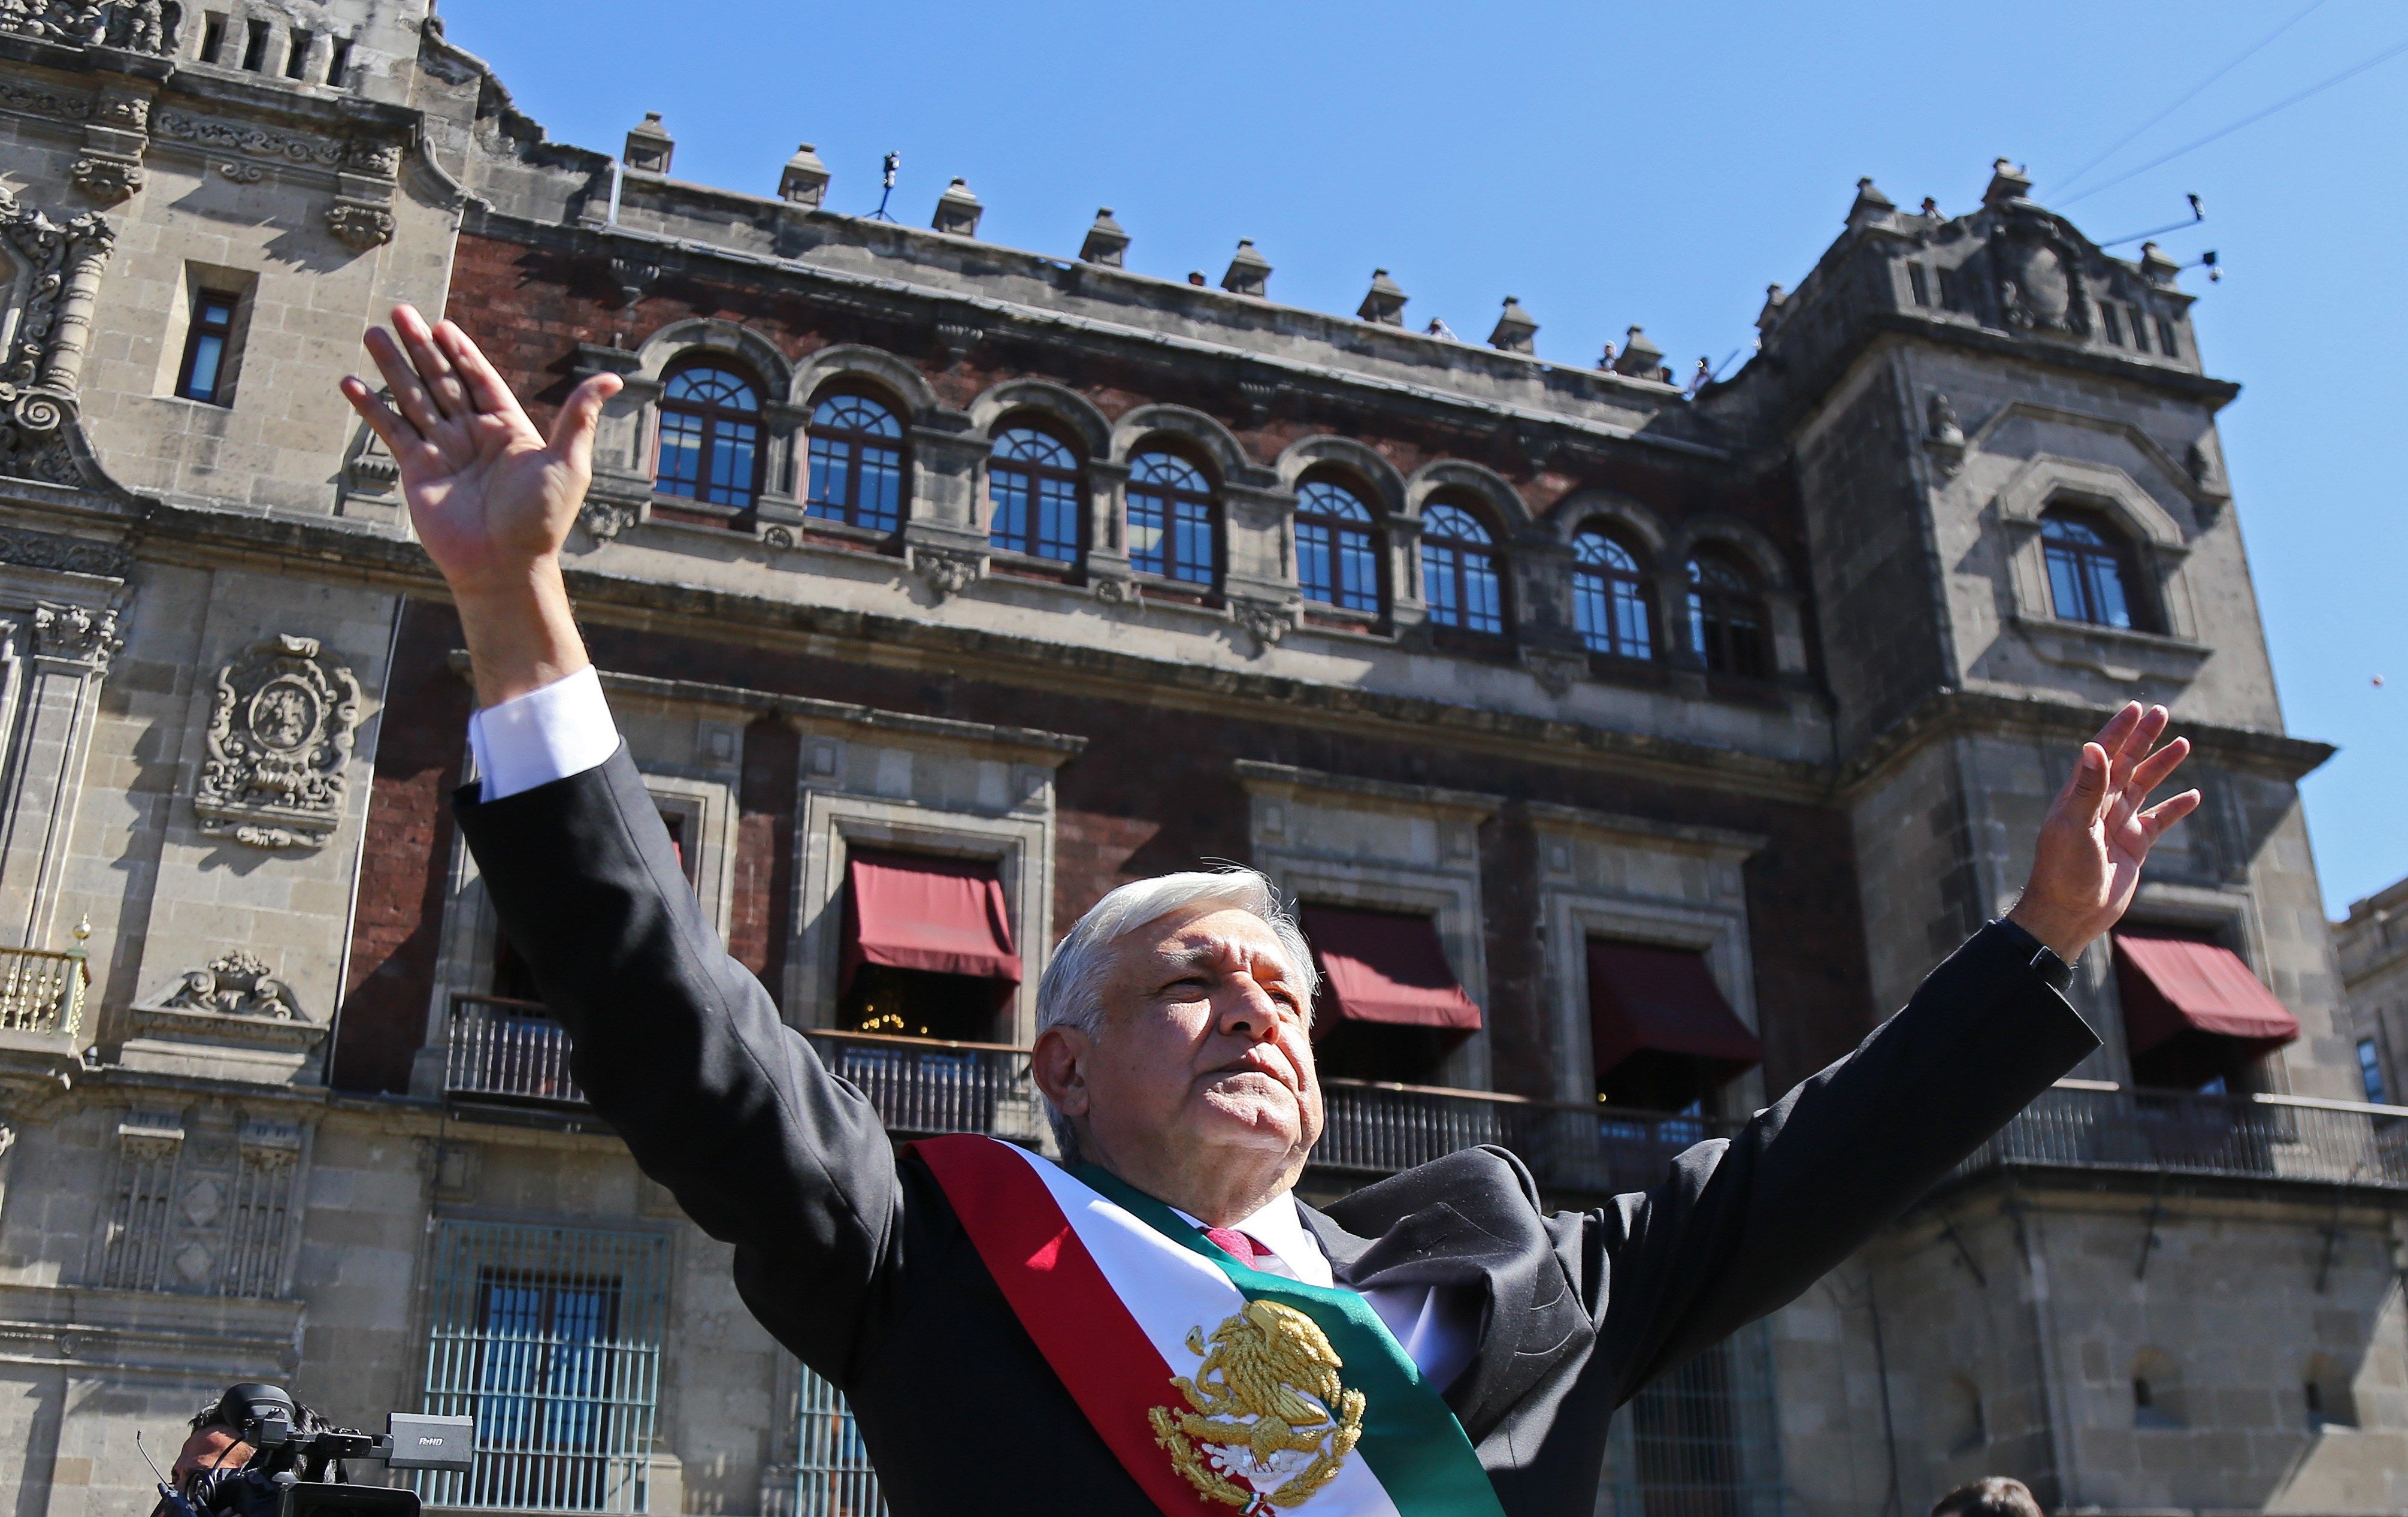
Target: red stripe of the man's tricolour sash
{"type": "Point", "coordinates": [1066, 1304]}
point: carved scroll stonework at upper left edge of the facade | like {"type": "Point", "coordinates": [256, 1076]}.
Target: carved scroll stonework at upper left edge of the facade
{"type": "Point", "coordinates": [45, 360]}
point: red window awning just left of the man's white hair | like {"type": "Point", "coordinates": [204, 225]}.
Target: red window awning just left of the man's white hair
{"type": "Point", "coordinates": [928, 914]}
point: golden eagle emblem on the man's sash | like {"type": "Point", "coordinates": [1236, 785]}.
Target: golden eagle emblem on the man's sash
{"type": "Point", "coordinates": [1265, 1407]}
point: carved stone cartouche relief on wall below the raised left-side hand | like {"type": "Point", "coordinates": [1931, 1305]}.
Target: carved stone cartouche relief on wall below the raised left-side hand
{"type": "Point", "coordinates": [281, 748]}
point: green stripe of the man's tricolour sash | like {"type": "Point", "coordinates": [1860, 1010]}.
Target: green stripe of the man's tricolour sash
{"type": "Point", "coordinates": [1410, 1434]}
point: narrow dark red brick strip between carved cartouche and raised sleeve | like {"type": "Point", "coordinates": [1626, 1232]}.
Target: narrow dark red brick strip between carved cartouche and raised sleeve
{"type": "Point", "coordinates": [399, 923]}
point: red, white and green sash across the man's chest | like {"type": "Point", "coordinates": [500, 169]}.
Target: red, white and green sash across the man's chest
{"type": "Point", "coordinates": [1210, 1381]}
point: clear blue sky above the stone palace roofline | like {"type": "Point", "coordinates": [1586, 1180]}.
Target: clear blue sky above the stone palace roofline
{"type": "Point", "coordinates": [1651, 165]}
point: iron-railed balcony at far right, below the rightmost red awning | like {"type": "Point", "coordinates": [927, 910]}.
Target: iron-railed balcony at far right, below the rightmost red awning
{"type": "Point", "coordinates": [2101, 1128]}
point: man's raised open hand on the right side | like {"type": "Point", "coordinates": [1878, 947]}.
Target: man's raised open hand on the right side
{"type": "Point", "coordinates": [2099, 834]}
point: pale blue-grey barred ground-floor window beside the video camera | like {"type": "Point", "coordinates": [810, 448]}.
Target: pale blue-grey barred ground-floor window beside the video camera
{"type": "Point", "coordinates": [550, 1338]}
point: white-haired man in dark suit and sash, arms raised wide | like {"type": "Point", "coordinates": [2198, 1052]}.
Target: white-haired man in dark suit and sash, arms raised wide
{"type": "Point", "coordinates": [1157, 1326]}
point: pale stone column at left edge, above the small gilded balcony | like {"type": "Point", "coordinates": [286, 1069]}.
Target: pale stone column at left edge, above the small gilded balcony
{"type": "Point", "coordinates": [71, 659]}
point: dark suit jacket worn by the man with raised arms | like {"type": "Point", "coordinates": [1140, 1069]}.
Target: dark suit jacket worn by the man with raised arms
{"type": "Point", "coordinates": [854, 1258]}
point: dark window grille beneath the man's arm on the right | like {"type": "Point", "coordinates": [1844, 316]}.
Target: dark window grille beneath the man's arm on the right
{"type": "Point", "coordinates": [1701, 1441]}
